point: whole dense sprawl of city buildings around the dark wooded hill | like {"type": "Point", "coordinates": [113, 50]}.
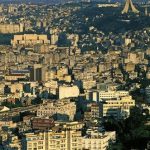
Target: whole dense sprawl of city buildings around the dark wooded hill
{"type": "Point", "coordinates": [53, 95]}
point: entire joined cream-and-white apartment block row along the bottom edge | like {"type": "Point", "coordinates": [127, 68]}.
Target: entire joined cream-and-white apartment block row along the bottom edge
{"type": "Point", "coordinates": [67, 140]}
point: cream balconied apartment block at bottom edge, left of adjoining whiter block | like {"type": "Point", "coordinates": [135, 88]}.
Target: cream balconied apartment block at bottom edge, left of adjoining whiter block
{"type": "Point", "coordinates": [51, 140]}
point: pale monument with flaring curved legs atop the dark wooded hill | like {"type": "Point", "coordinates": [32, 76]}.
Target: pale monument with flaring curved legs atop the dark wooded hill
{"type": "Point", "coordinates": [129, 5]}
